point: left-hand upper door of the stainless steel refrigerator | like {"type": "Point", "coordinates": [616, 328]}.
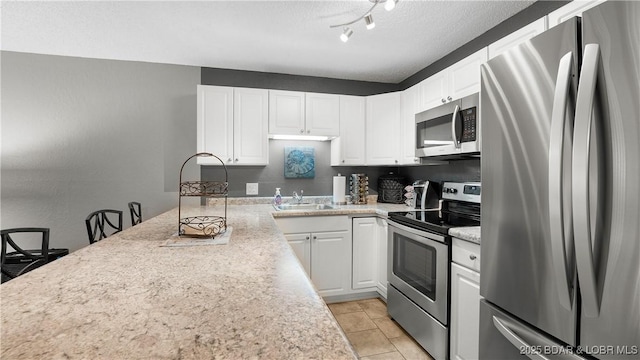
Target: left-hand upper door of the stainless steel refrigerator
{"type": "Point", "coordinates": [520, 270]}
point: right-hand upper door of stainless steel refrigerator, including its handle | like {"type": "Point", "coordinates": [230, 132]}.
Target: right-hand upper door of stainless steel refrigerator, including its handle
{"type": "Point", "coordinates": [607, 176]}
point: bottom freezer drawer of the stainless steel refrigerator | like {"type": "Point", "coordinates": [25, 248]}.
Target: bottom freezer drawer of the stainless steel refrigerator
{"type": "Point", "coordinates": [503, 337]}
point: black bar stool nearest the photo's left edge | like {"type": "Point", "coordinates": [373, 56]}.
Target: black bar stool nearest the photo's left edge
{"type": "Point", "coordinates": [20, 261]}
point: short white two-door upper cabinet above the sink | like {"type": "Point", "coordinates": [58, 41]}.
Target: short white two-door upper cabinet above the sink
{"type": "Point", "coordinates": [298, 113]}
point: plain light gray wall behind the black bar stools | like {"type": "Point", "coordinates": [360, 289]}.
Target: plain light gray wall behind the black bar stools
{"type": "Point", "coordinates": [80, 135]}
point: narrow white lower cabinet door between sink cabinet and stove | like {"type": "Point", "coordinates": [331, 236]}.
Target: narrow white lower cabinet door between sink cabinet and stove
{"type": "Point", "coordinates": [370, 255]}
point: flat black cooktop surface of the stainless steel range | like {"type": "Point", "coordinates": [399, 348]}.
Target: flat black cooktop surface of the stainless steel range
{"type": "Point", "coordinates": [433, 220]}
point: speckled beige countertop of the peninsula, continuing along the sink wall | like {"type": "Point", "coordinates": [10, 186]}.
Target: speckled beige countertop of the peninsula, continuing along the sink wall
{"type": "Point", "coordinates": [128, 297]}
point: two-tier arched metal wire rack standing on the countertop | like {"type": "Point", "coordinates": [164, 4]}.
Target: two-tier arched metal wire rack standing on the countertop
{"type": "Point", "coordinates": [203, 225]}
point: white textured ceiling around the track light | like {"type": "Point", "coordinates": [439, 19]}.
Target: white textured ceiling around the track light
{"type": "Point", "coordinates": [291, 37]}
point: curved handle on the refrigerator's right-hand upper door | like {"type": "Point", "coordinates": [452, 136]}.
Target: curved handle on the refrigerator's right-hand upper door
{"type": "Point", "coordinates": [580, 180]}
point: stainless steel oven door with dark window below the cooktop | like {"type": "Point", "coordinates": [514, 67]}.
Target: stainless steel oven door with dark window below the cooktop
{"type": "Point", "coordinates": [419, 268]}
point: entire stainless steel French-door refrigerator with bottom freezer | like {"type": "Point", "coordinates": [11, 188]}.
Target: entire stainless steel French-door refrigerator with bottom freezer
{"type": "Point", "coordinates": [560, 118]}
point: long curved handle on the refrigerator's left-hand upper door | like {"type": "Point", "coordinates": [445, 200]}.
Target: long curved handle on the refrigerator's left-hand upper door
{"type": "Point", "coordinates": [560, 120]}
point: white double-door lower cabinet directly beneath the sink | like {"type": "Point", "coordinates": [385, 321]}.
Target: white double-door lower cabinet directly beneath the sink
{"type": "Point", "coordinates": [323, 246]}
